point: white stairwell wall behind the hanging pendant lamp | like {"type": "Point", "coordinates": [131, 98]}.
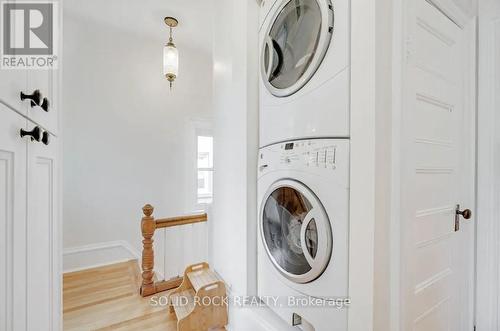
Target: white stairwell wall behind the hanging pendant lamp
{"type": "Point", "coordinates": [128, 139]}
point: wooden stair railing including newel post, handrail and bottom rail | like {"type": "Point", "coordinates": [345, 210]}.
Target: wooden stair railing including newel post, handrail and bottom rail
{"type": "Point", "coordinates": [148, 227]}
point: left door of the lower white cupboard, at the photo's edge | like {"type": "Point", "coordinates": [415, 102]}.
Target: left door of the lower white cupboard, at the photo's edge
{"type": "Point", "coordinates": [12, 221]}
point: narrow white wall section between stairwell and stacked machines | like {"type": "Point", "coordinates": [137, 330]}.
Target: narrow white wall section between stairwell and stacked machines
{"type": "Point", "coordinates": [236, 142]}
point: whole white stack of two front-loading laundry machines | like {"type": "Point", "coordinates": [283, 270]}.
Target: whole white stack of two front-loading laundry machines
{"type": "Point", "coordinates": [303, 179]}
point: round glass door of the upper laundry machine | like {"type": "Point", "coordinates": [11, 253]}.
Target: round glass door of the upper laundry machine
{"type": "Point", "coordinates": [295, 44]}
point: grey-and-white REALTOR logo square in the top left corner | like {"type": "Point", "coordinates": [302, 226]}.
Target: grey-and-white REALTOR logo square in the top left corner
{"type": "Point", "coordinates": [29, 34]}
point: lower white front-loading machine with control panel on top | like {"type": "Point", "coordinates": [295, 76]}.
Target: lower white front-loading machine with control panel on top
{"type": "Point", "coordinates": [303, 195]}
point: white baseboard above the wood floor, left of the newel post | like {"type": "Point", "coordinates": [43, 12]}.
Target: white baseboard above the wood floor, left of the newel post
{"type": "Point", "coordinates": [97, 255]}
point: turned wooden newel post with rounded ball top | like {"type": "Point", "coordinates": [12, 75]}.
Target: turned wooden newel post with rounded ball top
{"type": "Point", "coordinates": [148, 226]}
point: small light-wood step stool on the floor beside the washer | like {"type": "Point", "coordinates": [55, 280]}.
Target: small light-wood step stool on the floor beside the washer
{"type": "Point", "coordinates": [199, 302]}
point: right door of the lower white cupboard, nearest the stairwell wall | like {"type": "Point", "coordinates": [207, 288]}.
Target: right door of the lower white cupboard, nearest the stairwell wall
{"type": "Point", "coordinates": [42, 243]}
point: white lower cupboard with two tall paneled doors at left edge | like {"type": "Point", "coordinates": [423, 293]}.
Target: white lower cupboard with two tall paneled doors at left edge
{"type": "Point", "coordinates": [30, 275]}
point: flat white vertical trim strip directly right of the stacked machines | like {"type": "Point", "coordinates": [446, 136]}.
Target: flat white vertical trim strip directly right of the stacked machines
{"type": "Point", "coordinates": [362, 209]}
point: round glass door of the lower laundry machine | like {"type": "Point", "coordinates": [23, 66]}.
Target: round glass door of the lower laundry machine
{"type": "Point", "coordinates": [295, 231]}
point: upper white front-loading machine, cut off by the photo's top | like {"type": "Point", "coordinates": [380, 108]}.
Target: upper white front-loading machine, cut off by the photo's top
{"type": "Point", "coordinates": [304, 69]}
